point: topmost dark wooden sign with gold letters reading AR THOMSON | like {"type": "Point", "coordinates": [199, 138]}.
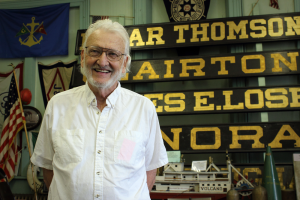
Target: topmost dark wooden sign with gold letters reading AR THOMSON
{"type": "Point", "coordinates": [259, 28]}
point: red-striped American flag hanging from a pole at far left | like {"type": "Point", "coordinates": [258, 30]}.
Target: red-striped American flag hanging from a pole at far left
{"type": "Point", "coordinates": [13, 123]}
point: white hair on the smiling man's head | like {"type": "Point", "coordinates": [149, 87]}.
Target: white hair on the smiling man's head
{"type": "Point", "coordinates": [114, 27]}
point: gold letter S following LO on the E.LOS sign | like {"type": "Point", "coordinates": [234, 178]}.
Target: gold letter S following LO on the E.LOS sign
{"type": "Point", "coordinates": [283, 98]}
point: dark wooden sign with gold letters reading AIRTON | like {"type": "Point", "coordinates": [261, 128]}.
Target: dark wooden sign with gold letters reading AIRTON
{"type": "Point", "coordinates": [211, 67]}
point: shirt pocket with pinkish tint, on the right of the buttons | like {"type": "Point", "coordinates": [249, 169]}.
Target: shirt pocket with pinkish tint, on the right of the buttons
{"type": "Point", "coordinates": [128, 147]}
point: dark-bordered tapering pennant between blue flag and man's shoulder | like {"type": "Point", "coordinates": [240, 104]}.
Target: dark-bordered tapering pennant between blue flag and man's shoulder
{"type": "Point", "coordinates": [55, 78]}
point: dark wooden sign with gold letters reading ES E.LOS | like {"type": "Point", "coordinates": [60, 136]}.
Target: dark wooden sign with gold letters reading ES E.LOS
{"type": "Point", "coordinates": [228, 100]}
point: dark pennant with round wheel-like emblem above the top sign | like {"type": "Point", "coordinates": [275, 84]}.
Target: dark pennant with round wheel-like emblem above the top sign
{"type": "Point", "coordinates": [188, 10]}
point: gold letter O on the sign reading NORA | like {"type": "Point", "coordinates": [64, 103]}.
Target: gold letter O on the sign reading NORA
{"type": "Point", "coordinates": [217, 134]}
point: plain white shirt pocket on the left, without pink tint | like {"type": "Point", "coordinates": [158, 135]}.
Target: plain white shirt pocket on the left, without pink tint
{"type": "Point", "coordinates": [68, 145]}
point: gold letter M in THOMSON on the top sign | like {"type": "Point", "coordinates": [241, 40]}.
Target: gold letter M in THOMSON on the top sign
{"type": "Point", "coordinates": [237, 28]}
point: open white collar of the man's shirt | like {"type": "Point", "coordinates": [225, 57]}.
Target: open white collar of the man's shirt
{"type": "Point", "coordinates": [110, 101]}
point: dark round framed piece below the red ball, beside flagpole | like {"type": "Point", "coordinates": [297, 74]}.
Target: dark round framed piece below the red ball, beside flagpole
{"type": "Point", "coordinates": [33, 117]}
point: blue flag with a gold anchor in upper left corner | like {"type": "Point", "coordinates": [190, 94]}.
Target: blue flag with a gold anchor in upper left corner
{"type": "Point", "coordinates": [34, 32]}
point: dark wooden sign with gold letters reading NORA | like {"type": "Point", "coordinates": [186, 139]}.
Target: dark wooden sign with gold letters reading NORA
{"type": "Point", "coordinates": [234, 138]}
